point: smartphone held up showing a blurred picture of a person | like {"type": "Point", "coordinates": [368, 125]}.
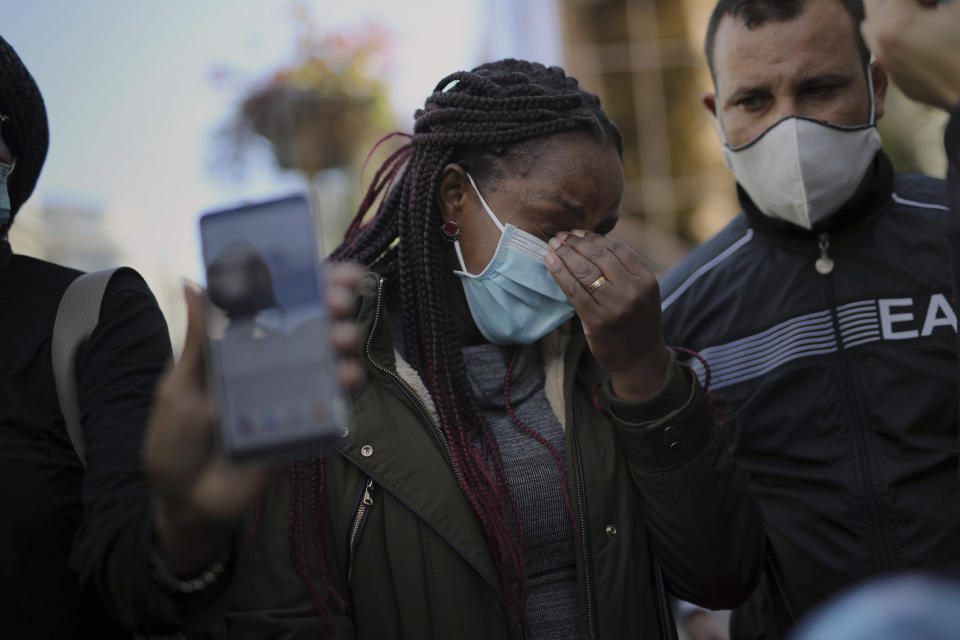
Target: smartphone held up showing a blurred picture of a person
{"type": "Point", "coordinates": [270, 365]}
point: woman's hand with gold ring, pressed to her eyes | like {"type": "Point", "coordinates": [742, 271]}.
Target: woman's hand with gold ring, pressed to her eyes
{"type": "Point", "coordinates": [618, 301]}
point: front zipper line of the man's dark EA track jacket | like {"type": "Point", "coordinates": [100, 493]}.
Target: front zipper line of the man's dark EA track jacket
{"type": "Point", "coordinates": [860, 445]}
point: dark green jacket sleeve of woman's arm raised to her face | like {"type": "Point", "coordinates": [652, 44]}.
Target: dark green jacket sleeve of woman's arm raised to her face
{"type": "Point", "coordinates": [706, 529]}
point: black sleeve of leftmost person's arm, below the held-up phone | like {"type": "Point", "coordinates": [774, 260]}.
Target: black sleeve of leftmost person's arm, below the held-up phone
{"type": "Point", "coordinates": [117, 372]}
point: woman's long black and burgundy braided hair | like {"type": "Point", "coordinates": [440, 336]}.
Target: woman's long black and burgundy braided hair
{"type": "Point", "coordinates": [483, 119]}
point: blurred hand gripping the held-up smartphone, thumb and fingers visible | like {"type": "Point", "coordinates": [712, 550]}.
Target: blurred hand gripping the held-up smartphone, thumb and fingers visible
{"type": "Point", "coordinates": [199, 497]}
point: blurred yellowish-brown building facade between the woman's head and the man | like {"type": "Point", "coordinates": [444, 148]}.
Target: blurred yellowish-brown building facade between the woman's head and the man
{"type": "Point", "coordinates": [644, 58]}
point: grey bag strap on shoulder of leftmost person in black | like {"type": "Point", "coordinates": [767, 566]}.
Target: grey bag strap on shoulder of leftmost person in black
{"type": "Point", "coordinates": [77, 317]}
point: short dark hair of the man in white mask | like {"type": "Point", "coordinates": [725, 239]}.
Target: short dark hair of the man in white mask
{"type": "Point", "coordinates": [756, 13]}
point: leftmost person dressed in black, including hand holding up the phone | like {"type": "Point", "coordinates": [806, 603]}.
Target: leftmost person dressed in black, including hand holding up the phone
{"type": "Point", "coordinates": [96, 551]}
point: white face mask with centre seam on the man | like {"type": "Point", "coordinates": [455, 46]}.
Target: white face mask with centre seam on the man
{"type": "Point", "coordinates": [801, 169]}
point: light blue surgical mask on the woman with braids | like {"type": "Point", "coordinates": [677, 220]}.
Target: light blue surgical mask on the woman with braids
{"type": "Point", "coordinates": [514, 300]}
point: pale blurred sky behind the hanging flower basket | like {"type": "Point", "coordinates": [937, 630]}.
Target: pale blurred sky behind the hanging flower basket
{"type": "Point", "coordinates": [133, 105]}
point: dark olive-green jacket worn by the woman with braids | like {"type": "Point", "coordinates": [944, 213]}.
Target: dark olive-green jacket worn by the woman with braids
{"type": "Point", "coordinates": [405, 556]}
